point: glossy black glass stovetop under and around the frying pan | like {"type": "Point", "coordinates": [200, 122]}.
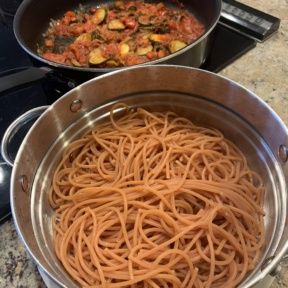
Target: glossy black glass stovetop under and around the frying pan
{"type": "Point", "coordinates": [227, 45]}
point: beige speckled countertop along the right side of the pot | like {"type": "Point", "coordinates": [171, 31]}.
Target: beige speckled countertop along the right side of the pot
{"type": "Point", "coordinates": [264, 70]}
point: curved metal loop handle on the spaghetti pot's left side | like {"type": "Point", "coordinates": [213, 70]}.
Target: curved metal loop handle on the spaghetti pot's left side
{"type": "Point", "coordinates": [14, 128]}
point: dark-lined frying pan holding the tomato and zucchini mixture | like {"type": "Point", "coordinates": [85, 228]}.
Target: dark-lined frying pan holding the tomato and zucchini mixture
{"type": "Point", "coordinates": [33, 17]}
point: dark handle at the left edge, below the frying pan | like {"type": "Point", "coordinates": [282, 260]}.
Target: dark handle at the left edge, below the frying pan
{"type": "Point", "coordinates": [25, 76]}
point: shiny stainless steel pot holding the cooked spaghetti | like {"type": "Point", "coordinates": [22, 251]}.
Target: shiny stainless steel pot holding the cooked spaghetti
{"type": "Point", "coordinates": [207, 98]}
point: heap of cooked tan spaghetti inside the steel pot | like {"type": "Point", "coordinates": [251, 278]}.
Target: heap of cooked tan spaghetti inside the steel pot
{"type": "Point", "coordinates": [151, 200]}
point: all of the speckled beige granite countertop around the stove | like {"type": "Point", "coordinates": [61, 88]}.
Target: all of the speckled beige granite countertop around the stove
{"type": "Point", "coordinates": [263, 70]}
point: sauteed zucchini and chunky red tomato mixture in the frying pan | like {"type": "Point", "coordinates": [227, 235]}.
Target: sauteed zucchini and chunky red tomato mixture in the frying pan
{"type": "Point", "coordinates": [122, 34]}
